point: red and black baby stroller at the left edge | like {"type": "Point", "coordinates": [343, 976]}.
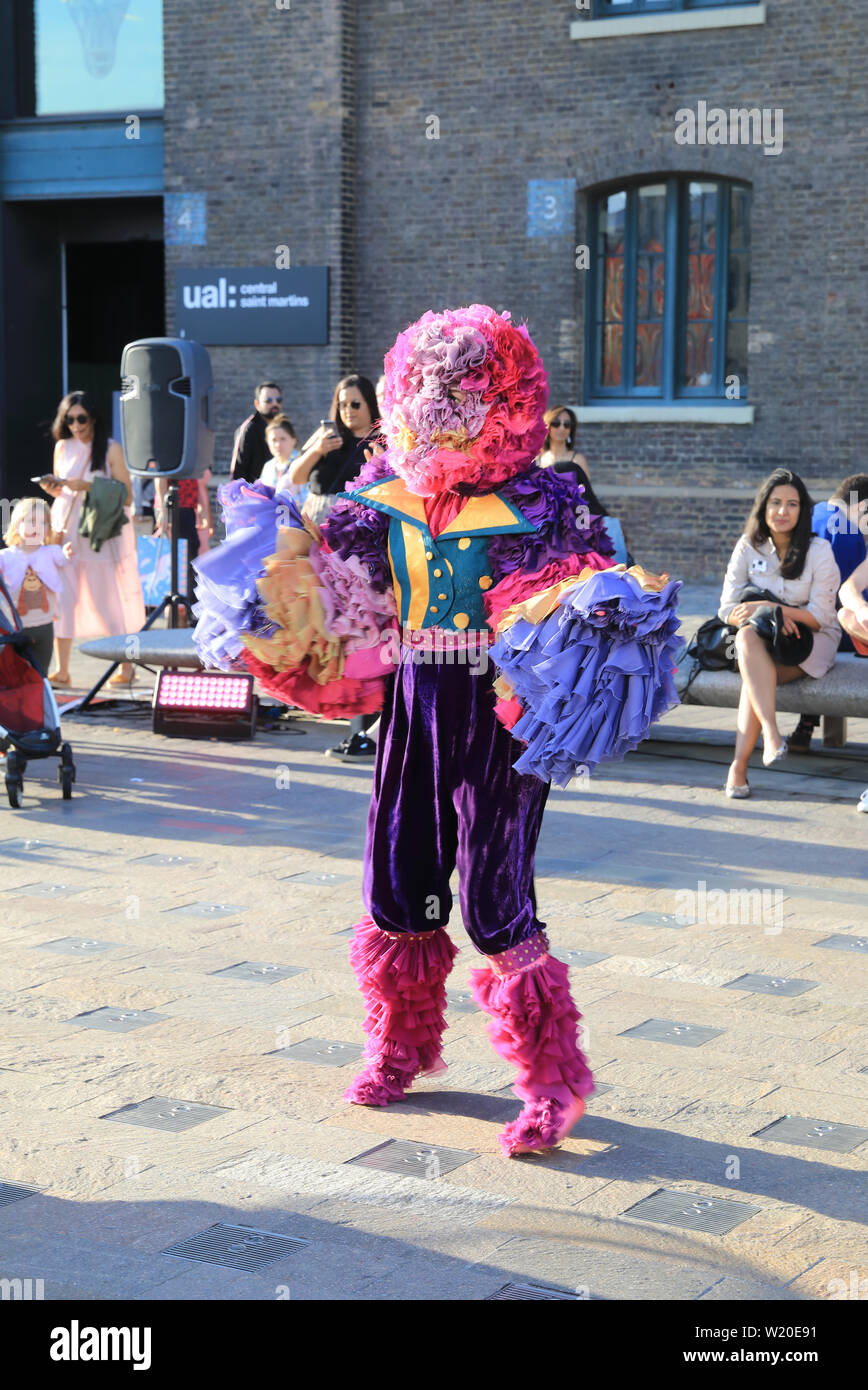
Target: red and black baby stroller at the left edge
{"type": "Point", "coordinates": [30, 722]}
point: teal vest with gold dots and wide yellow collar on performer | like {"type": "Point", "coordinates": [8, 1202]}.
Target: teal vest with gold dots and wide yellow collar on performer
{"type": "Point", "coordinates": [440, 583]}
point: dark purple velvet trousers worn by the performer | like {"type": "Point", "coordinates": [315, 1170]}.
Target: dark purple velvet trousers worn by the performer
{"type": "Point", "coordinates": [446, 796]}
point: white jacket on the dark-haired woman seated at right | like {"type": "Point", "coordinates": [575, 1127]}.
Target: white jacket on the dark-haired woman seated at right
{"type": "Point", "coordinates": [816, 590]}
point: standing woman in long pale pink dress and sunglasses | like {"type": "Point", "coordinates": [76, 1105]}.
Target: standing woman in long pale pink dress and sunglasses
{"type": "Point", "coordinates": [102, 594]}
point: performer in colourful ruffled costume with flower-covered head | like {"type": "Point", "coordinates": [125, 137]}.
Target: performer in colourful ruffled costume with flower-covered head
{"type": "Point", "coordinates": [449, 536]}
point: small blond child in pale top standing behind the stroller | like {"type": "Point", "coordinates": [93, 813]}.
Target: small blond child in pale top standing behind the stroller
{"type": "Point", "coordinates": [31, 572]}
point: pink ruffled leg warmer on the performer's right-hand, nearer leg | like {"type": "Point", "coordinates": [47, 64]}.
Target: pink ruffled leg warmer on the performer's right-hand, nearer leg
{"type": "Point", "coordinates": [533, 1025]}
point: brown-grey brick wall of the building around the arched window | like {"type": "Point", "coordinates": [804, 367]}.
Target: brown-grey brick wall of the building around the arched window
{"type": "Point", "coordinates": [401, 145]}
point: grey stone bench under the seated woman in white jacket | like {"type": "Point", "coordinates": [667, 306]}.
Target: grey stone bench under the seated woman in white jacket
{"type": "Point", "coordinates": [841, 693]}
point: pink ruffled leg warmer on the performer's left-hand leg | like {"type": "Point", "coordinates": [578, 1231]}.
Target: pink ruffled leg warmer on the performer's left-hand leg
{"type": "Point", "coordinates": [403, 981]}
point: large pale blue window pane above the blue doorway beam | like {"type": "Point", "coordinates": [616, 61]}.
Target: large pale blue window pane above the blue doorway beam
{"type": "Point", "coordinates": [98, 56]}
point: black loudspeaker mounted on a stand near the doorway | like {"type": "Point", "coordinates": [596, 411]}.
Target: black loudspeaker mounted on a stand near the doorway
{"type": "Point", "coordinates": [168, 408]}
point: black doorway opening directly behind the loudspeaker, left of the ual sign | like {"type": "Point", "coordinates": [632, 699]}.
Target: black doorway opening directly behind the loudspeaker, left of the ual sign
{"type": "Point", "coordinates": [115, 294]}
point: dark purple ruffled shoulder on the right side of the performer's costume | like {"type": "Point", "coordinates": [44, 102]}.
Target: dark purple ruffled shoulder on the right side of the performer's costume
{"type": "Point", "coordinates": [556, 505]}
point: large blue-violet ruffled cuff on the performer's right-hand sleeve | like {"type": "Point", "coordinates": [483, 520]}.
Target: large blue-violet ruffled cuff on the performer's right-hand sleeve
{"type": "Point", "coordinates": [593, 676]}
